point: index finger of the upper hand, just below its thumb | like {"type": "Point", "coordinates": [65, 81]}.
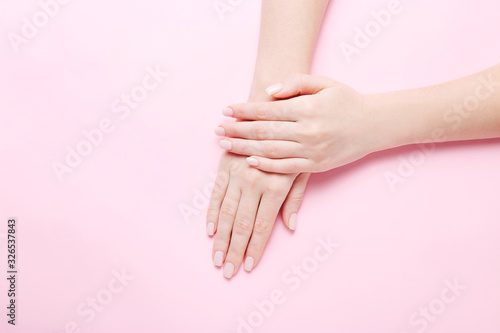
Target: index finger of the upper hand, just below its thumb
{"type": "Point", "coordinates": [277, 110]}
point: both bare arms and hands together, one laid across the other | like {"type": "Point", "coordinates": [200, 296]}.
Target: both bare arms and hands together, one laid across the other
{"type": "Point", "coordinates": [312, 124]}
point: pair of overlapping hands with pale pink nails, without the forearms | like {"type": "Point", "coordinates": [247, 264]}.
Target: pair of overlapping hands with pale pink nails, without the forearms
{"type": "Point", "coordinates": [316, 124]}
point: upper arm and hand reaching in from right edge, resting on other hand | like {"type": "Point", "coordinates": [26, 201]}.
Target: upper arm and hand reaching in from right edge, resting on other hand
{"type": "Point", "coordinates": [330, 124]}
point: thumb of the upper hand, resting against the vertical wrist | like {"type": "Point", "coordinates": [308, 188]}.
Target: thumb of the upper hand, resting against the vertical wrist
{"type": "Point", "coordinates": [299, 84]}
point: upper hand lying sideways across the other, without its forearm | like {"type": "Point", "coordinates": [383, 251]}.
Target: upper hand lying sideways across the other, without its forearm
{"type": "Point", "coordinates": [325, 126]}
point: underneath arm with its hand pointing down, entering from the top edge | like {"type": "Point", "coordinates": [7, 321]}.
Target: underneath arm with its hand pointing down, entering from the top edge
{"type": "Point", "coordinates": [245, 201]}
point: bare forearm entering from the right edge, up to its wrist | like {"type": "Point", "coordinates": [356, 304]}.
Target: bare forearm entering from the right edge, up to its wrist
{"type": "Point", "coordinates": [463, 109]}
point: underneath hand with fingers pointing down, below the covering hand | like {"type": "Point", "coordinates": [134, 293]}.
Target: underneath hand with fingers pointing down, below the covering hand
{"type": "Point", "coordinates": [243, 208]}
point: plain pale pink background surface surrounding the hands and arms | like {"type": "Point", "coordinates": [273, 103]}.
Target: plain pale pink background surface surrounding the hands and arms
{"type": "Point", "coordinates": [120, 208]}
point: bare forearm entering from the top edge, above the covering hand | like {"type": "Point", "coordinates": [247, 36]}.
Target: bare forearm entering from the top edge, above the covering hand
{"type": "Point", "coordinates": [288, 34]}
